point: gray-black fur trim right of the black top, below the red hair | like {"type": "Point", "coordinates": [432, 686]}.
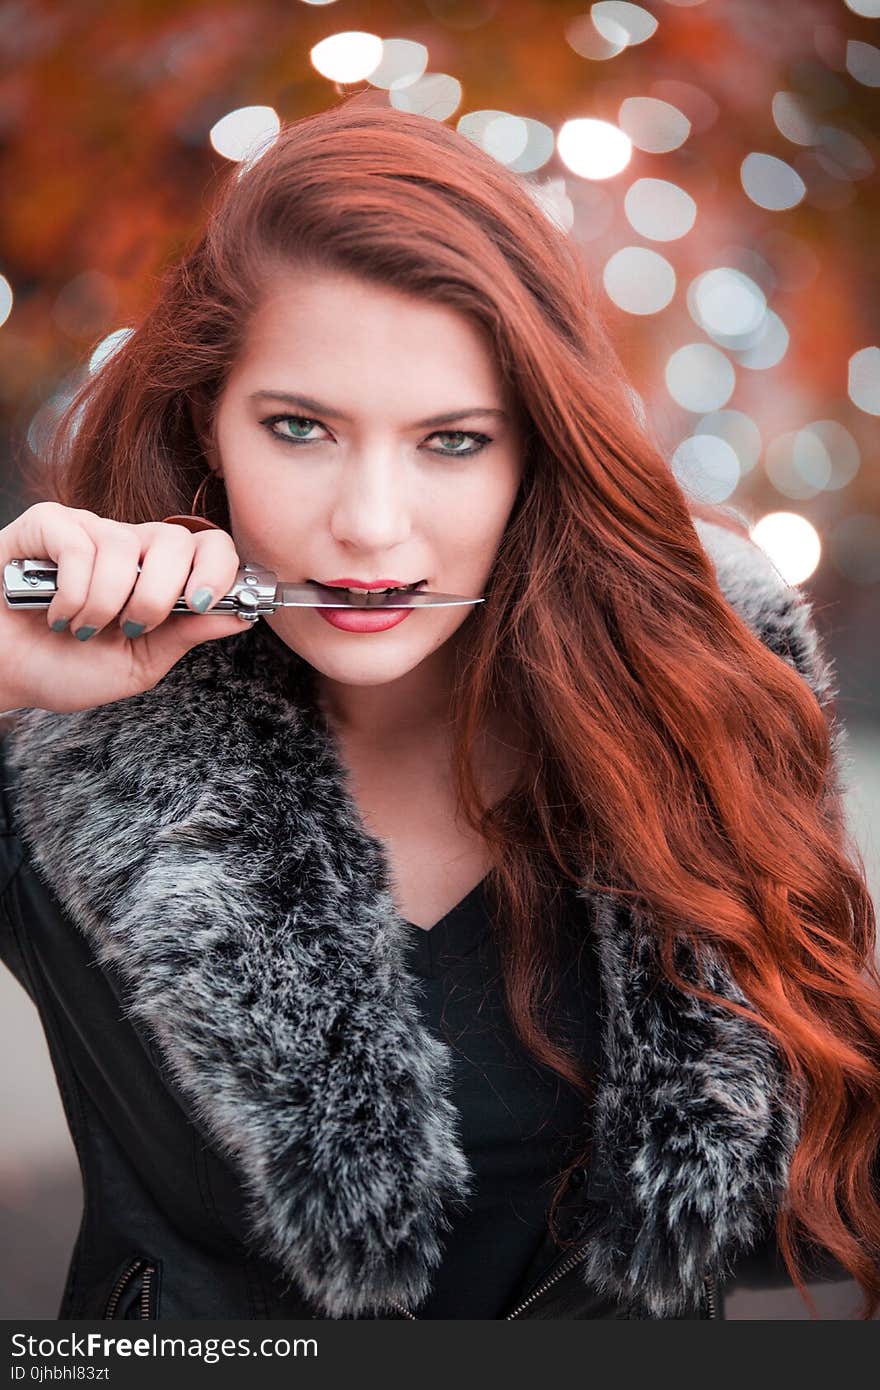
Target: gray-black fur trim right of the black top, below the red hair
{"type": "Point", "coordinates": [693, 1124]}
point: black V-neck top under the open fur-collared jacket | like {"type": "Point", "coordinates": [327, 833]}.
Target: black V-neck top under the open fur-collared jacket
{"type": "Point", "coordinates": [521, 1121]}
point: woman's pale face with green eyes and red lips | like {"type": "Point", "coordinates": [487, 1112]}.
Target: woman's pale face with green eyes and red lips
{"type": "Point", "coordinates": [362, 487]}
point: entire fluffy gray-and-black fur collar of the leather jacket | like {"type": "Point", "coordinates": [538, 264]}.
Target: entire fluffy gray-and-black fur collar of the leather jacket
{"type": "Point", "coordinates": [204, 837]}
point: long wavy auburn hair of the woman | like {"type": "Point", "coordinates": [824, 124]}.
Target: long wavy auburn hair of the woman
{"type": "Point", "coordinates": [671, 753]}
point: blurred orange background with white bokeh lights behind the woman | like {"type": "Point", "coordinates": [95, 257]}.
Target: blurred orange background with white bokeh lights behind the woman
{"type": "Point", "coordinates": [714, 161]}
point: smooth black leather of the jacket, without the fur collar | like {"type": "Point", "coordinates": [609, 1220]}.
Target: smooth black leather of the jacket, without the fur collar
{"type": "Point", "coordinates": [163, 1229]}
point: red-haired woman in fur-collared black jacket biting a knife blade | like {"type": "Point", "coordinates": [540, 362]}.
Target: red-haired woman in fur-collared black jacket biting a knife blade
{"type": "Point", "coordinates": [647, 1038]}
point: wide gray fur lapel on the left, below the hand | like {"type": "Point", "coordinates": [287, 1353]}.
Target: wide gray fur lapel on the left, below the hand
{"type": "Point", "coordinates": [204, 839]}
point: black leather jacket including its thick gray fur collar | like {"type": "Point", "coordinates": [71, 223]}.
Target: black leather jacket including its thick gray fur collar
{"type": "Point", "coordinates": [262, 1121]}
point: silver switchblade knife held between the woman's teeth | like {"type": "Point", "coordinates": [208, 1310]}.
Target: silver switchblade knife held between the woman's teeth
{"type": "Point", "coordinates": [256, 591]}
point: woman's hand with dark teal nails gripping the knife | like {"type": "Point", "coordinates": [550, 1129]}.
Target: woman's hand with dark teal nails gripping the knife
{"type": "Point", "coordinates": [99, 589]}
